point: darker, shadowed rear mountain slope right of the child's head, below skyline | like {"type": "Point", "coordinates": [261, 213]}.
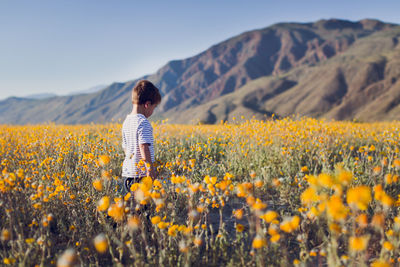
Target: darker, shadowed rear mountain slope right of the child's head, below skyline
{"type": "Point", "coordinates": [274, 50]}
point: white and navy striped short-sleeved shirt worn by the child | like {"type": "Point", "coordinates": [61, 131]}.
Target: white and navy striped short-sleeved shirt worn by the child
{"type": "Point", "coordinates": [136, 130]}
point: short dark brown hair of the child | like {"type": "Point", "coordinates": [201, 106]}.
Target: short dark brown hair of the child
{"type": "Point", "coordinates": [145, 91]}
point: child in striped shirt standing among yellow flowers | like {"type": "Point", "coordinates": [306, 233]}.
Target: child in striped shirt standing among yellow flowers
{"type": "Point", "coordinates": [137, 135]}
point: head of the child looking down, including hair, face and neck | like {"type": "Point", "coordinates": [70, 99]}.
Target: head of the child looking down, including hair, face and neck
{"type": "Point", "coordinates": [145, 94]}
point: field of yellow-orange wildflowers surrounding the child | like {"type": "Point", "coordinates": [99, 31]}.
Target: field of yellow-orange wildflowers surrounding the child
{"type": "Point", "coordinates": [287, 192]}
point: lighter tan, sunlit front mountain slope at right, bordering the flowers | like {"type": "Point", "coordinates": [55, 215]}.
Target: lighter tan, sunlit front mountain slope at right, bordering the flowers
{"type": "Point", "coordinates": [361, 83]}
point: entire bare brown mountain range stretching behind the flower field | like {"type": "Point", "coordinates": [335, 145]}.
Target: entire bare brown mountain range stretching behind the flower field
{"type": "Point", "coordinates": [335, 69]}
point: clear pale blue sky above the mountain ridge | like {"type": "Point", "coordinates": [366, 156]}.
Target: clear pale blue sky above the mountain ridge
{"type": "Point", "coordinates": [61, 46]}
